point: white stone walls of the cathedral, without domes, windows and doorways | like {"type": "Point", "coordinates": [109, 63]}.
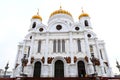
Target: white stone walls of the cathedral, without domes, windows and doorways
{"type": "Point", "coordinates": [70, 35]}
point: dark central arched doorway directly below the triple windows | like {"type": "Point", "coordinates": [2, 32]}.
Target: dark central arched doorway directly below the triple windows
{"type": "Point", "coordinates": [59, 69]}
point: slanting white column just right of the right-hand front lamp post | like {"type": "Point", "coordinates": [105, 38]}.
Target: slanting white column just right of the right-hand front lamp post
{"type": "Point", "coordinates": [101, 62]}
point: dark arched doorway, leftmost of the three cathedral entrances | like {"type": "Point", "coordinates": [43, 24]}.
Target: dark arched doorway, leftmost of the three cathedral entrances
{"type": "Point", "coordinates": [37, 69]}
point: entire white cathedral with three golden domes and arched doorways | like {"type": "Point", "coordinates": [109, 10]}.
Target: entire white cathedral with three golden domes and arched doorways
{"type": "Point", "coordinates": [62, 48]}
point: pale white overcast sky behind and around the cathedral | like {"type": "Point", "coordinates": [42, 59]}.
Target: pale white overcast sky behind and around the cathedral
{"type": "Point", "coordinates": [15, 16]}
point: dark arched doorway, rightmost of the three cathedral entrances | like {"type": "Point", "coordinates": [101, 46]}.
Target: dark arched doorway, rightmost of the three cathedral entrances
{"type": "Point", "coordinates": [81, 69]}
